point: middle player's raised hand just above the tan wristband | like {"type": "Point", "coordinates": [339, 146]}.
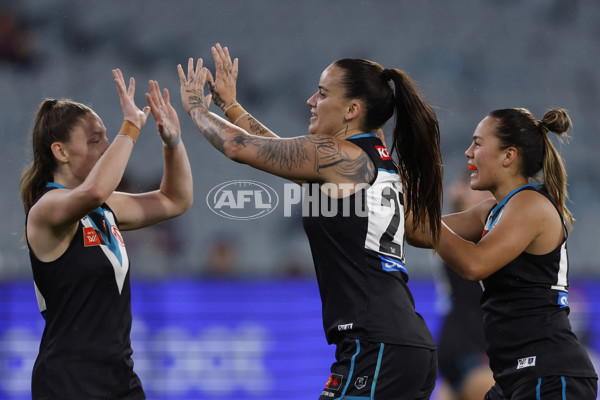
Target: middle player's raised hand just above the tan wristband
{"type": "Point", "coordinates": [223, 90]}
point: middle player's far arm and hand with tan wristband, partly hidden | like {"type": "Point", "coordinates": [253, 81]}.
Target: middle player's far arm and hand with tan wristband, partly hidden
{"type": "Point", "coordinates": [223, 92]}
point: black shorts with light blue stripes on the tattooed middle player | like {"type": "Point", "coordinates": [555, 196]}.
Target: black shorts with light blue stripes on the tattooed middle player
{"type": "Point", "coordinates": [380, 371]}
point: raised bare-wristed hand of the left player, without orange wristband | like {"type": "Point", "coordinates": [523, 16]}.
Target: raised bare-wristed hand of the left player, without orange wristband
{"type": "Point", "coordinates": [164, 114]}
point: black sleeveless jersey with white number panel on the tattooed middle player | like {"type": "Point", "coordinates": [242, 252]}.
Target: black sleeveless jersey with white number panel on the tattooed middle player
{"type": "Point", "coordinates": [357, 244]}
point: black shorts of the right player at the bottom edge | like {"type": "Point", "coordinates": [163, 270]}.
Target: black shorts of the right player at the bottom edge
{"type": "Point", "coordinates": [550, 388]}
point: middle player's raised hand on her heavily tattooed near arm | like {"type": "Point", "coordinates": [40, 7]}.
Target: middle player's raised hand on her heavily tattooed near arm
{"type": "Point", "coordinates": [192, 86]}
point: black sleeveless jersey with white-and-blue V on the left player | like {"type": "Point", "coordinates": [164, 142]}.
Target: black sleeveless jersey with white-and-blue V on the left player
{"type": "Point", "coordinates": [85, 298]}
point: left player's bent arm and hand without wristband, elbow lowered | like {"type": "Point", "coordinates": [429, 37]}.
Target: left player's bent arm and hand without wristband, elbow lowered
{"type": "Point", "coordinates": [175, 195]}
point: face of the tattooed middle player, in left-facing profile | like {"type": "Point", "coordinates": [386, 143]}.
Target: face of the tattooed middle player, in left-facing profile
{"type": "Point", "coordinates": [328, 105]}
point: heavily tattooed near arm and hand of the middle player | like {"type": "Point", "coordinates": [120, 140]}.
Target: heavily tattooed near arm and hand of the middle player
{"type": "Point", "coordinates": [315, 158]}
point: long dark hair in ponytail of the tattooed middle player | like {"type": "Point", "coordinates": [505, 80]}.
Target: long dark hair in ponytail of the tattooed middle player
{"type": "Point", "coordinates": [416, 137]}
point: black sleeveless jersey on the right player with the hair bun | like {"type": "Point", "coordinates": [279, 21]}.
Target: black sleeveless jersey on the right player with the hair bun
{"type": "Point", "coordinates": [526, 310]}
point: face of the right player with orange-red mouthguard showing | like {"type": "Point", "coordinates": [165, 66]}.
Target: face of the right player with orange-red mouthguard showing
{"type": "Point", "coordinates": [485, 156]}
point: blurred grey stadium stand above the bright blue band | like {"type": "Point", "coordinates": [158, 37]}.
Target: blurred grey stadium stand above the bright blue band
{"type": "Point", "coordinates": [467, 57]}
